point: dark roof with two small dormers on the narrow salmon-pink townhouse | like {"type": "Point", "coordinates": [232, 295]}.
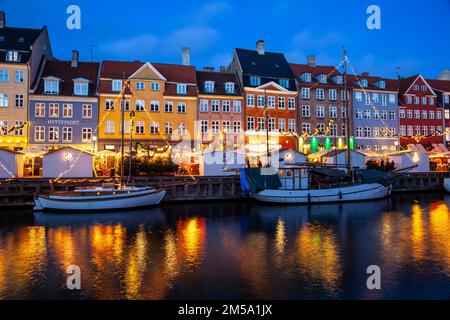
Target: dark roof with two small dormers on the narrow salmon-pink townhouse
{"type": "Point", "coordinates": [219, 78]}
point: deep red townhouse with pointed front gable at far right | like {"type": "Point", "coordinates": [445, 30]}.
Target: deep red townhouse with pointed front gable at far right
{"type": "Point", "coordinates": [420, 118]}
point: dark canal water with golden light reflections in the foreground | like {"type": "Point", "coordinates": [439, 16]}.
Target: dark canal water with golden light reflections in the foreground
{"type": "Point", "coordinates": [234, 250]}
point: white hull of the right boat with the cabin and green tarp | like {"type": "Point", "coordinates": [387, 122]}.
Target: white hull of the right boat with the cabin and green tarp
{"type": "Point", "coordinates": [370, 191]}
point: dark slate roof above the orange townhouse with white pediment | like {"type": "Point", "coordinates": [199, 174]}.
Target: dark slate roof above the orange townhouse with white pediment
{"type": "Point", "coordinates": [270, 64]}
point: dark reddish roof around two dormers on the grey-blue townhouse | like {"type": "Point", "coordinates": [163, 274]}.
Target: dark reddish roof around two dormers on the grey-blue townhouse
{"type": "Point", "coordinates": [64, 71]}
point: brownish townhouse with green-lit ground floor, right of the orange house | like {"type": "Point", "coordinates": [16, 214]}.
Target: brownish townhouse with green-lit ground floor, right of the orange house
{"type": "Point", "coordinates": [321, 106]}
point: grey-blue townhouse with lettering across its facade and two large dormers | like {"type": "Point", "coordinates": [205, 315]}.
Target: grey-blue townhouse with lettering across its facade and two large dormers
{"type": "Point", "coordinates": [63, 108]}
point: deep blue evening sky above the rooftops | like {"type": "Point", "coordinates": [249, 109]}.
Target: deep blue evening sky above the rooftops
{"type": "Point", "coordinates": [414, 35]}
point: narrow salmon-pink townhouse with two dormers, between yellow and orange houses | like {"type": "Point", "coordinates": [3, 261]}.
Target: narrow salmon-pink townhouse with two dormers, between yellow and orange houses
{"type": "Point", "coordinates": [220, 109]}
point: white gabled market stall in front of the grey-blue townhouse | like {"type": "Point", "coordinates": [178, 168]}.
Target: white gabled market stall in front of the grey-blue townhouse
{"type": "Point", "coordinates": [67, 162]}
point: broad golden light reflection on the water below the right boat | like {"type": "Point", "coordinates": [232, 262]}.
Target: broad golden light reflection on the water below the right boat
{"type": "Point", "coordinates": [318, 256]}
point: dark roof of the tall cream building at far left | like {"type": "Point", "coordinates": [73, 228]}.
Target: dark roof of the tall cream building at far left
{"type": "Point", "coordinates": [20, 39]}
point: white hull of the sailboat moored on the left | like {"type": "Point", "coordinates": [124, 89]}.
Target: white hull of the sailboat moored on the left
{"type": "Point", "coordinates": [118, 201]}
